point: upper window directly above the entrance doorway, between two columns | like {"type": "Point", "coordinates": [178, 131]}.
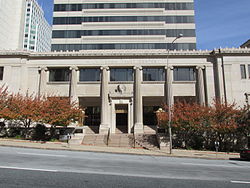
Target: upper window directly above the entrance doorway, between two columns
{"type": "Point", "coordinates": [121, 74]}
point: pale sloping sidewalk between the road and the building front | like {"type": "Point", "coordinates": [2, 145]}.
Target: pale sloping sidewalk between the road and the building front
{"type": "Point", "coordinates": [65, 146]}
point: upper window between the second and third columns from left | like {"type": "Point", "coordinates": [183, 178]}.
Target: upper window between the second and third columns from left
{"type": "Point", "coordinates": [90, 74]}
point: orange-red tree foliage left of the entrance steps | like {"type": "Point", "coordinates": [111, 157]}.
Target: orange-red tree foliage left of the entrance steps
{"type": "Point", "coordinates": [57, 111]}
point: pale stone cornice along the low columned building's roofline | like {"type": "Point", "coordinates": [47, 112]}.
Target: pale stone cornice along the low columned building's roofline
{"type": "Point", "coordinates": [124, 53]}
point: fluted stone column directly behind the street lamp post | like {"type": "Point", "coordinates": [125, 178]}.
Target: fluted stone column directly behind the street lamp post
{"type": "Point", "coordinates": [168, 87]}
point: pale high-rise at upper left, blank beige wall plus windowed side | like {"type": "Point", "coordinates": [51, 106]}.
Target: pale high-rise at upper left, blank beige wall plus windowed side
{"type": "Point", "coordinates": [23, 26]}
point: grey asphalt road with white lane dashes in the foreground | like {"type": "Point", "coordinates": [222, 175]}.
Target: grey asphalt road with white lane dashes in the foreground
{"type": "Point", "coordinates": [49, 168]}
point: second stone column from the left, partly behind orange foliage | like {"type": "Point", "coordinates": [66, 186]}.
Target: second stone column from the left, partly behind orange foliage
{"type": "Point", "coordinates": [73, 85]}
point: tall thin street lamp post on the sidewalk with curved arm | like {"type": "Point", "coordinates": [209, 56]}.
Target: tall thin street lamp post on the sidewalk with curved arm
{"type": "Point", "coordinates": [169, 98]}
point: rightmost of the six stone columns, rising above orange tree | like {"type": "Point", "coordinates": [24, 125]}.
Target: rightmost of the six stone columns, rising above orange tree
{"type": "Point", "coordinates": [200, 86]}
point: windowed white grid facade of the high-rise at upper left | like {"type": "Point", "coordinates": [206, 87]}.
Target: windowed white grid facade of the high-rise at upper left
{"type": "Point", "coordinates": [37, 33]}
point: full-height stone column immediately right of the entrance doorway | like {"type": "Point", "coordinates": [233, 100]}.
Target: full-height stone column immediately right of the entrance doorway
{"type": "Point", "coordinates": [138, 108]}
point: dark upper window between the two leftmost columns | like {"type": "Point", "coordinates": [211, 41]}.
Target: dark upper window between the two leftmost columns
{"type": "Point", "coordinates": [59, 74]}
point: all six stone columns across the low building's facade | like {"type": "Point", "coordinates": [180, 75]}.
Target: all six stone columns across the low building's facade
{"type": "Point", "coordinates": [138, 103]}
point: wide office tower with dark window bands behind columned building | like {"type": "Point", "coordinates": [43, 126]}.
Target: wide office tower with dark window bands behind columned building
{"type": "Point", "coordinates": [123, 24]}
